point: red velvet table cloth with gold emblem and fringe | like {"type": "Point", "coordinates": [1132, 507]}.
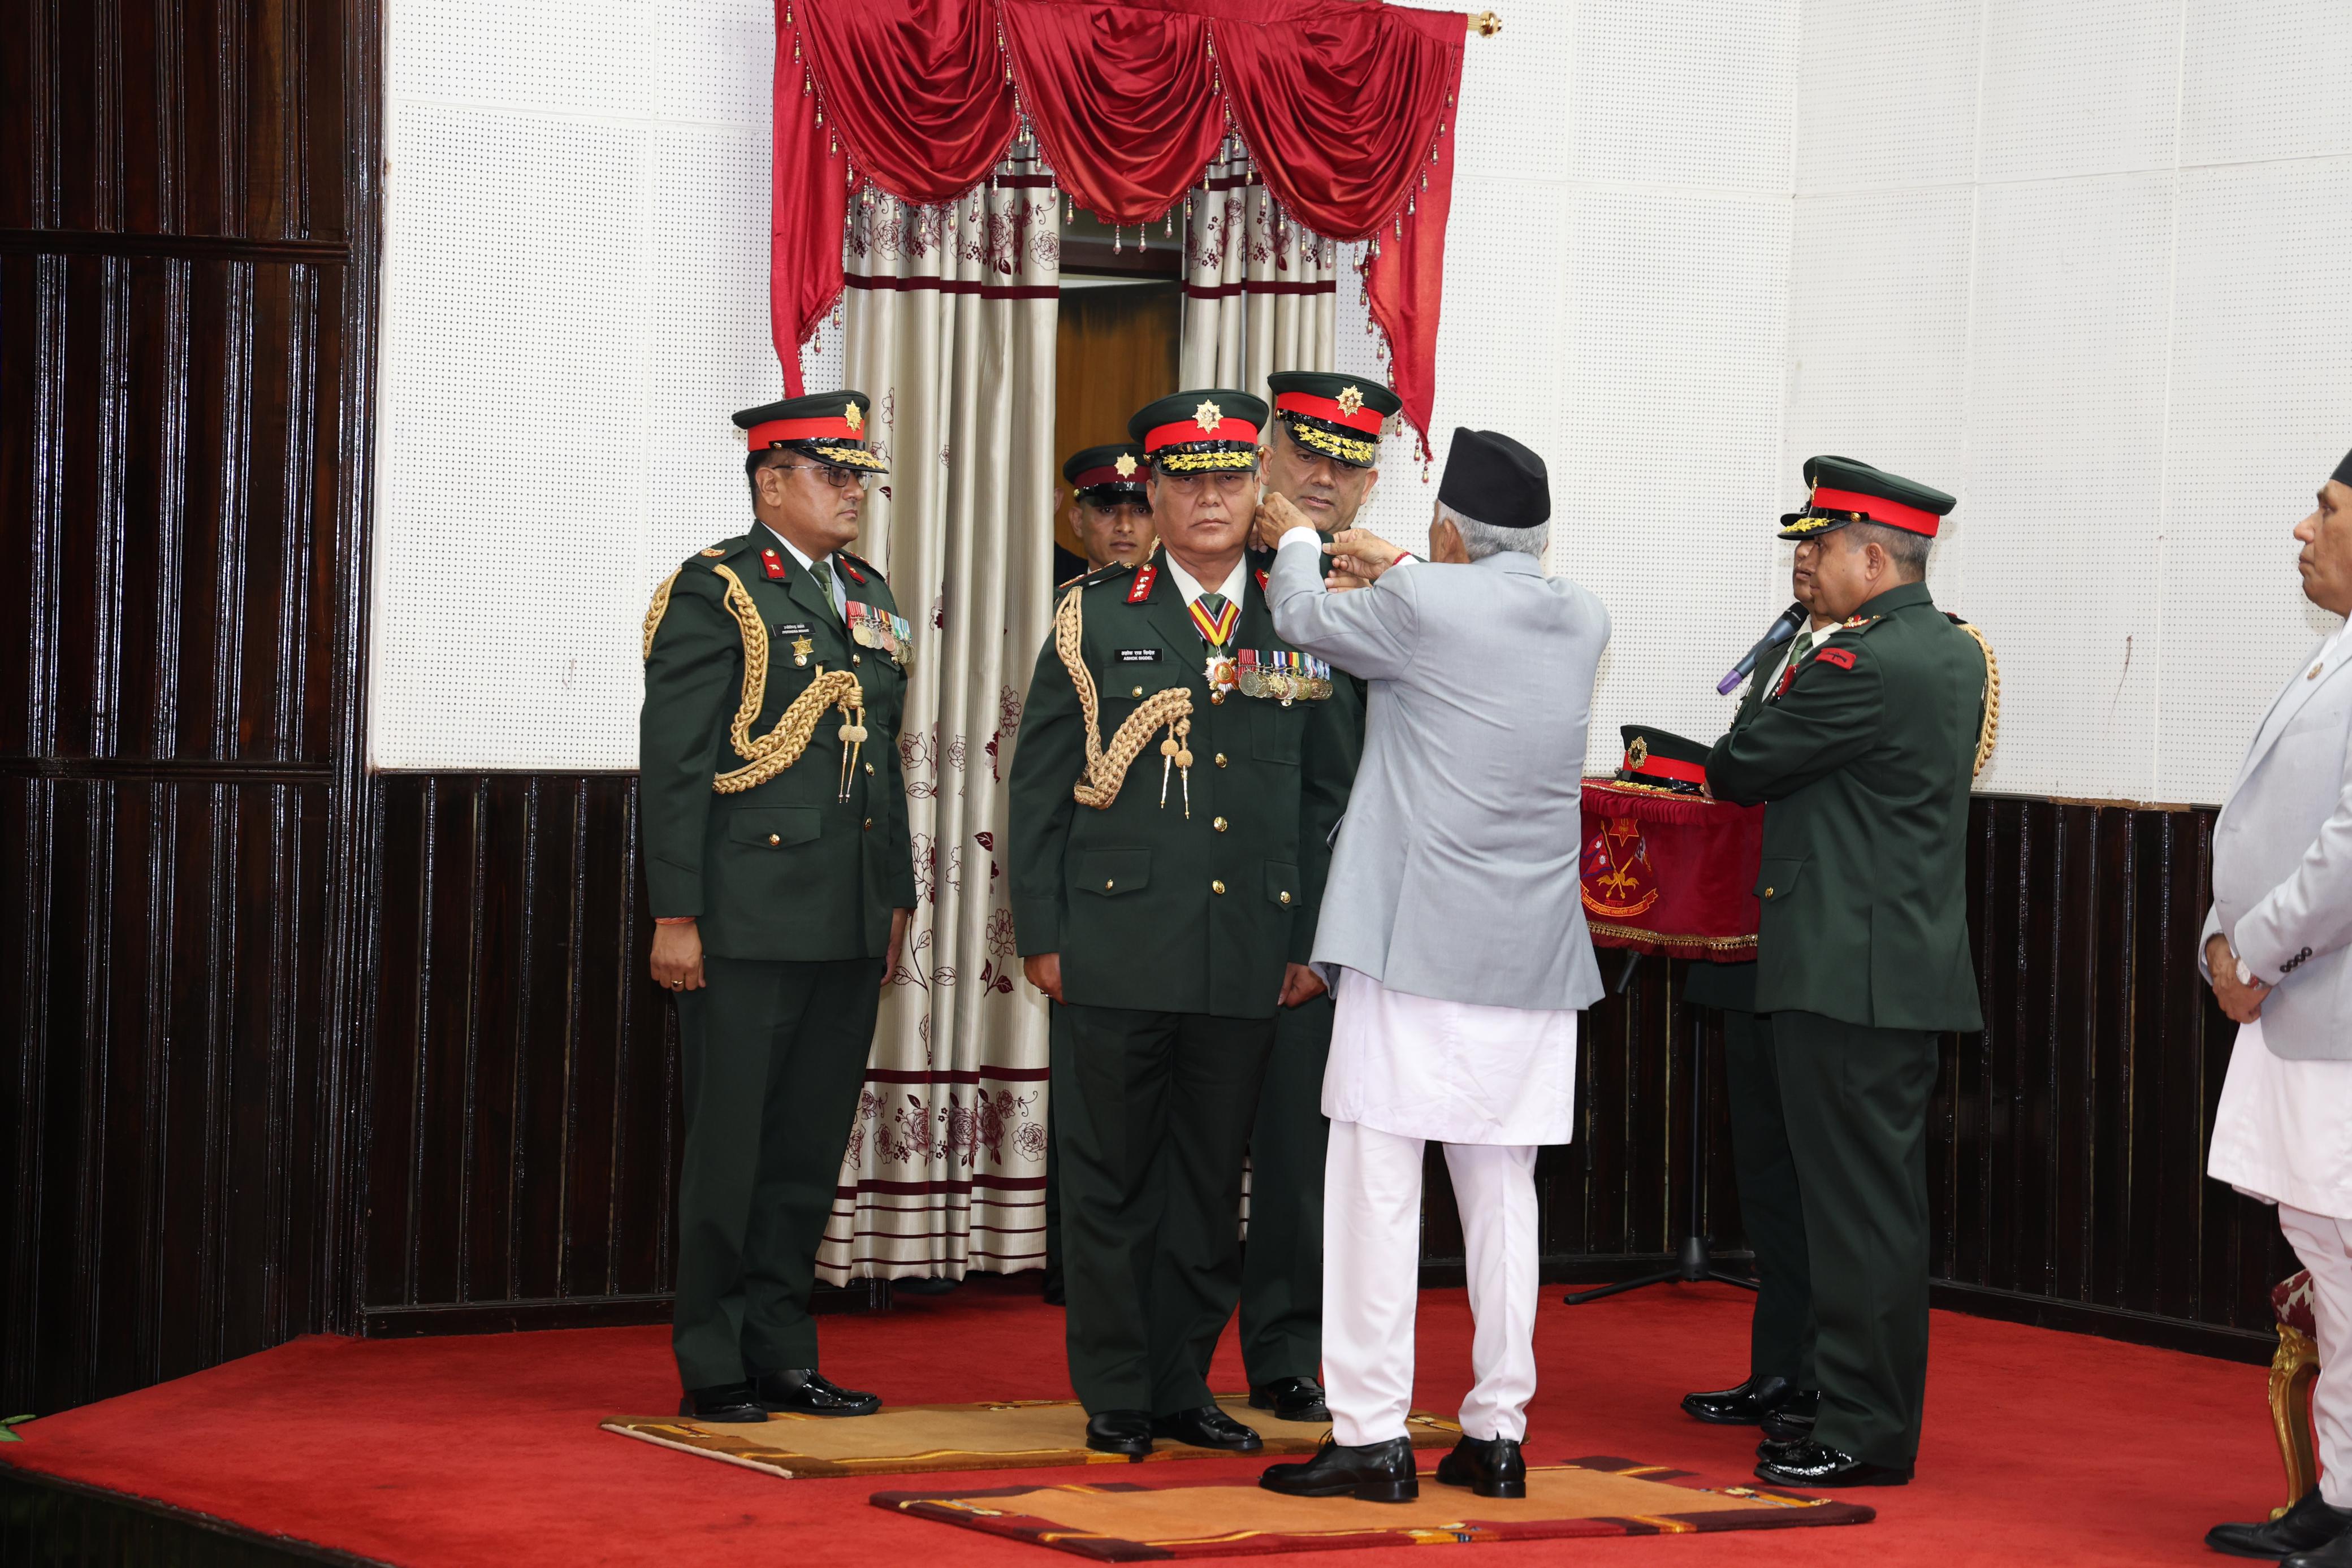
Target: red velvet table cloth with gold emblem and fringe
{"type": "Point", "coordinates": [1671, 873]}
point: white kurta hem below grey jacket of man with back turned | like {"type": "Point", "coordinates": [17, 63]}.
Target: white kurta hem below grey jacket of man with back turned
{"type": "Point", "coordinates": [1450, 1071]}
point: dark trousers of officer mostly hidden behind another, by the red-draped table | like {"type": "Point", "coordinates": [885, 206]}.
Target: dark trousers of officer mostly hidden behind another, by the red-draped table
{"type": "Point", "coordinates": [1772, 1212]}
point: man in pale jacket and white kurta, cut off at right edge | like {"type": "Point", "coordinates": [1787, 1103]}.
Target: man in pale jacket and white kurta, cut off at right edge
{"type": "Point", "coordinates": [2276, 951]}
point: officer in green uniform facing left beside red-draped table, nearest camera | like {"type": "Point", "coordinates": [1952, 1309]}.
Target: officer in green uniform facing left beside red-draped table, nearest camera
{"type": "Point", "coordinates": [1866, 753]}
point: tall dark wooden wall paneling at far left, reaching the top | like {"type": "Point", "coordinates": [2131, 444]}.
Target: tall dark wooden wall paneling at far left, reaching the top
{"type": "Point", "coordinates": [187, 293]}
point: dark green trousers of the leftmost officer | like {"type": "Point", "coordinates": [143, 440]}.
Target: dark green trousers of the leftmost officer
{"type": "Point", "coordinates": [775, 1059]}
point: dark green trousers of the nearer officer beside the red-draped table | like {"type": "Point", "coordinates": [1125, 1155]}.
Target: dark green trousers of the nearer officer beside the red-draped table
{"type": "Point", "coordinates": [1857, 1125]}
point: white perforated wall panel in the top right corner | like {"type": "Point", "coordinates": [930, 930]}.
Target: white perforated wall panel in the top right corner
{"type": "Point", "coordinates": [2266, 81]}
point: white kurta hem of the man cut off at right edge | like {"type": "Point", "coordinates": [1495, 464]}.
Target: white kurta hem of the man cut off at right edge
{"type": "Point", "coordinates": [2285, 1130]}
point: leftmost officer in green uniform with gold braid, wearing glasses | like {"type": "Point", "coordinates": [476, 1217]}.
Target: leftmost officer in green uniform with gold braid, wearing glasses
{"type": "Point", "coordinates": [780, 873]}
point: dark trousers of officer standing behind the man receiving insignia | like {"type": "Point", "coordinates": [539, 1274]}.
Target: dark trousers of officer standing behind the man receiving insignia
{"type": "Point", "coordinates": [1283, 1261]}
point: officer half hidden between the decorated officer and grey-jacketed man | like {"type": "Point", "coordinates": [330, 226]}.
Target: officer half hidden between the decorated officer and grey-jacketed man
{"type": "Point", "coordinates": [1323, 453]}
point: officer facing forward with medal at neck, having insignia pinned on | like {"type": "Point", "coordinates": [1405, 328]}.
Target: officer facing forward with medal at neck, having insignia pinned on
{"type": "Point", "coordinates": [1172, 796]}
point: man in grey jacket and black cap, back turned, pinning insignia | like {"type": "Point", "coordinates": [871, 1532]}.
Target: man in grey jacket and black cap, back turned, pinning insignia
{"type": "Point", "coordinates": [1455, 939]}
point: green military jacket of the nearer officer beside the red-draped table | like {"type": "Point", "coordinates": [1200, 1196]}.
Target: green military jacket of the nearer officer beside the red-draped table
{"type": "Point", "coordinates": [1866, 763]}
